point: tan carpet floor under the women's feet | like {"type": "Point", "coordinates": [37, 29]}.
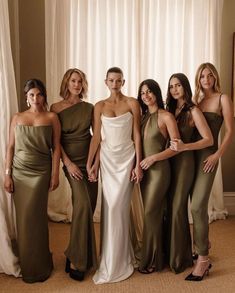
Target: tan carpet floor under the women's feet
{"type": "Point", "coordinates": [221, 278]}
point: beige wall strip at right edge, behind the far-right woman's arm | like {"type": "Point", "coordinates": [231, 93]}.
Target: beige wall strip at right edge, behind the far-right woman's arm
{"type": "Point", "coordinates": [228, 27]}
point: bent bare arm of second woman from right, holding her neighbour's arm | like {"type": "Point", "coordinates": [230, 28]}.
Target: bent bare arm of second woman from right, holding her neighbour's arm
{"type": "Point", "coordinates": [204, 131]}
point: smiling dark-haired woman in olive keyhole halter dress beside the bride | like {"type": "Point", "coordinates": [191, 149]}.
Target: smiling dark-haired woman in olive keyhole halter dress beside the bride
{"type": "Point", "coordinates": [157, 127]}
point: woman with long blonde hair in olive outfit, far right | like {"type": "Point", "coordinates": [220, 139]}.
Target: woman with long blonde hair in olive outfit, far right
{"type": "Point", "coordinates": [216, 107]}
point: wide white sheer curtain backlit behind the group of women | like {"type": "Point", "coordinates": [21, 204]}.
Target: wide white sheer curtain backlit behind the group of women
{"type": "Point", "coordinates": [146, 38]}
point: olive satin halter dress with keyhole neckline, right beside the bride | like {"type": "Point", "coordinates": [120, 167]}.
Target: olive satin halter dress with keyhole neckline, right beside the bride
{"type": "Point", "coordinates": [154, 187]}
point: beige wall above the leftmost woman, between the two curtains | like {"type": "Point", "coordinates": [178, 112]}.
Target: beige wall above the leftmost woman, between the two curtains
{"type": "Point", "coordinates": [27, 23]}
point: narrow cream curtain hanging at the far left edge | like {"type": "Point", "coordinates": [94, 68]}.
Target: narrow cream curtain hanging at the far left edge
{"type": "Point", "coordinates": [8, 106]}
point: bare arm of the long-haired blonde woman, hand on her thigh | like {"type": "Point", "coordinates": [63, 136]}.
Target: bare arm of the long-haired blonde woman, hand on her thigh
{"type": "Point", "coordinates": [227, 111]}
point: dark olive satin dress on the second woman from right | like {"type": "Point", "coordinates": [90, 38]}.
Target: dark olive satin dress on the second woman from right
{"type": "Point", "coordinates": [182, 170]}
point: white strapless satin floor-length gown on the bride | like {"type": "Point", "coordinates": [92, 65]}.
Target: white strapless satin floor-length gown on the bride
{"type": "Point", "coordinates": [117, 157]}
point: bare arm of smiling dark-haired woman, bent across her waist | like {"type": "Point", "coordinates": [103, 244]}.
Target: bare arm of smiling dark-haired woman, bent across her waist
{"type": "Point", "coordinates": [172, 130]}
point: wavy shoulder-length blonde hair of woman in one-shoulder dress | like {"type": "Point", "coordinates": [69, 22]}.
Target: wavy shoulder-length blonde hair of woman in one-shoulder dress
{"type": "Point", "coordinates": [64, 91]}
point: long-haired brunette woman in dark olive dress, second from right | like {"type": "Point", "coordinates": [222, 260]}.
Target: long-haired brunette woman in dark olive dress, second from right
{"type": "Point", "coordinates": [189, 118]}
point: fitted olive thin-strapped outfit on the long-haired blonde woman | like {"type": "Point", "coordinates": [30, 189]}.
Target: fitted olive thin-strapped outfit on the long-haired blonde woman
{"type": "Point", "coordinates": [202, 187]}
